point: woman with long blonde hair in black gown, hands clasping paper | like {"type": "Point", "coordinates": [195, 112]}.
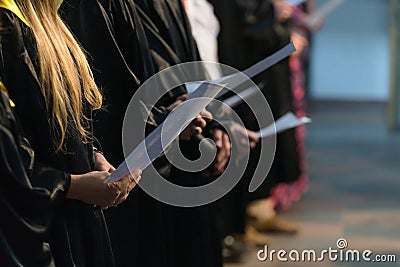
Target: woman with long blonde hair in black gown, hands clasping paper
{"type": "Point", "coordinates": [49, 80]}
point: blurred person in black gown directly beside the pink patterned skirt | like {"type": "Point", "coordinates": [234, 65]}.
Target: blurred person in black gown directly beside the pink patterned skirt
{"type": "Point", "coordinates": [250, 31]}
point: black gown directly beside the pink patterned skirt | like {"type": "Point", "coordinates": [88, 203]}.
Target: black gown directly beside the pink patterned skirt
{"type": "Point", "coordinates": [258, 35]}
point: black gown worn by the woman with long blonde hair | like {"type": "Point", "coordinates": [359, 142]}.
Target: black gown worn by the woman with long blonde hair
{"type": "Point", "coordinates": [78, 231]}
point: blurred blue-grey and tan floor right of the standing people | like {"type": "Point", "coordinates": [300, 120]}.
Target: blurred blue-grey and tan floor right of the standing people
{"type": "Point", "coordinates": [354, 192]}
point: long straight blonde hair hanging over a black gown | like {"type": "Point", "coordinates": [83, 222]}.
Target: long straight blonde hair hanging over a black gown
{"type": "Point", "coordinates": [65, 76]}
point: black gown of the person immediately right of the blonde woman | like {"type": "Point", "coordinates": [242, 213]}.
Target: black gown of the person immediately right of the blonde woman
{"type": "Point", "coordinates": [111, 34]}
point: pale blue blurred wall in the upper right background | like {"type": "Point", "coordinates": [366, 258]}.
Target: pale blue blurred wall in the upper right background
{"type": "Point", "coordinates": [350, 55]}
